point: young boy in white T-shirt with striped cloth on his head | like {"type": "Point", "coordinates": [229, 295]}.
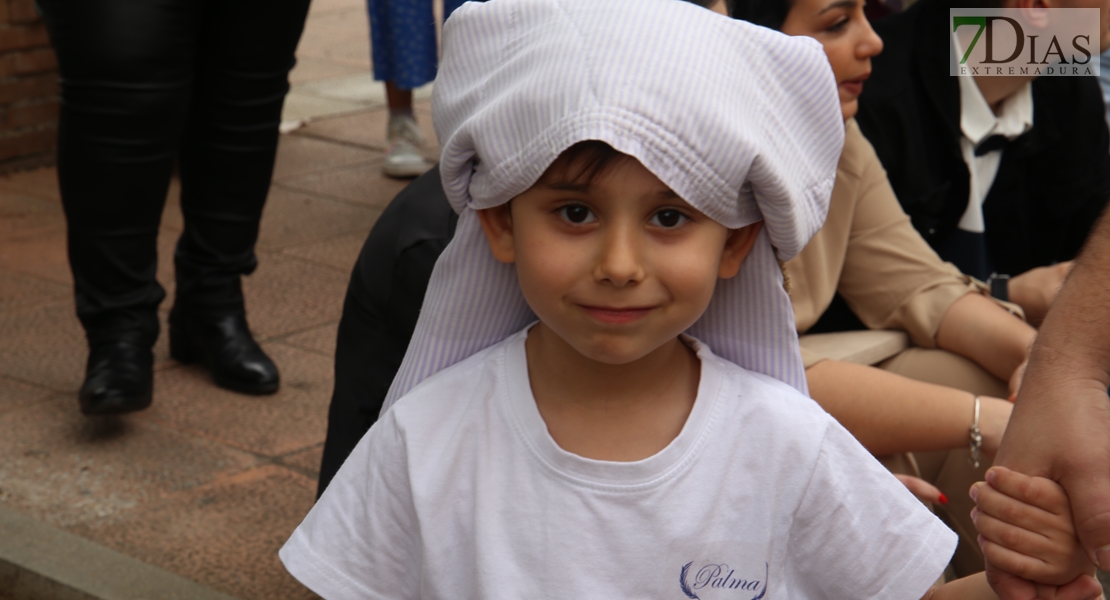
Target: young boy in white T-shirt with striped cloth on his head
{"type": "Point", "coordinates": [613, 192]}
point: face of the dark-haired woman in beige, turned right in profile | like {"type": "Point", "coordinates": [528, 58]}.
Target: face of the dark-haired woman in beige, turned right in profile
{"type": "Point", "coordinates": [849, 39]}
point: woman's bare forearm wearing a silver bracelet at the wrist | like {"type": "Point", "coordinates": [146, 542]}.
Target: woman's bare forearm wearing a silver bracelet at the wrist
{"type": "Point", "coordinates": [891, 414]}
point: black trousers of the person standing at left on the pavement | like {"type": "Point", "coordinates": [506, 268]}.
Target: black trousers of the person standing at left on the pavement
{"type": "Point", "coordinates": [147, 83]}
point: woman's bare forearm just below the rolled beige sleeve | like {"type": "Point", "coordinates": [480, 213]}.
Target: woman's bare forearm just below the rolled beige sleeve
{"type": "Point", "coordinates": [981, 330]}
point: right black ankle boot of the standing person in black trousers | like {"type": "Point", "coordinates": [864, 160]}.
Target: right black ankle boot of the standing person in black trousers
{"type": "Point", "coordinates": [224, 344]}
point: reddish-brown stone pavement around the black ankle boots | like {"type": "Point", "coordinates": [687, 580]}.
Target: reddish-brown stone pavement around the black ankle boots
{"type": "Point", "coordinates": [206, 484]}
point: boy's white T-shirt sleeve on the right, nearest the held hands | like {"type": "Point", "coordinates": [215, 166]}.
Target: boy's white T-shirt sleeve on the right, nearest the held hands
{"type": "Point", "coordinates": [860, 534]}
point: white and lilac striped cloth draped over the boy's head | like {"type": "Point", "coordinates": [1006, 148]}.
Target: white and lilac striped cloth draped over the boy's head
{"type": "Point", "coordinates": [741, 121]}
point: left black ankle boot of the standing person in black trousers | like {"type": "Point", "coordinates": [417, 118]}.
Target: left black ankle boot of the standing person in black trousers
{"type": "Point", "coordinates": [119, 379]}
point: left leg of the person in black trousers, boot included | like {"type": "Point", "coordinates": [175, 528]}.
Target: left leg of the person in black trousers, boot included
{"type": "Point", "coordinates": [126, 75]}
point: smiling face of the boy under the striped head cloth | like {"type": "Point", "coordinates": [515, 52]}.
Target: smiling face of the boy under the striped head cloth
{"type": "Point", "coordinates": [618, 266]}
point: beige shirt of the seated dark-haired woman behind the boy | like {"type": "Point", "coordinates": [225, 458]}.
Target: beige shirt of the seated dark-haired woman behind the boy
{"type": "Point", "coordinates": [871, 253]}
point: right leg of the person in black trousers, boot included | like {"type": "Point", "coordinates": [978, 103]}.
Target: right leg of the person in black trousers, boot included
{"type": "Point", "coordinates": [245, 55]}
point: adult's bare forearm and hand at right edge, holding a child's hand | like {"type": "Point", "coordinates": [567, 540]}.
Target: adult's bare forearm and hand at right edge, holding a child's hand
{"type": "Point", "coordinates": [1062, 420]}
